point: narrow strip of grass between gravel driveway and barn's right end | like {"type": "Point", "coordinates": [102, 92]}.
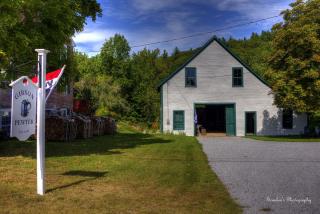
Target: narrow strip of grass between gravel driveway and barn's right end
{"type": "Point", "coordinates": [284, 138]}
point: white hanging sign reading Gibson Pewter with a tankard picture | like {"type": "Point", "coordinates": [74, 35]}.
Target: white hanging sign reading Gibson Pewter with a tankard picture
{"type": "Point", "coordinates": [23, 108]}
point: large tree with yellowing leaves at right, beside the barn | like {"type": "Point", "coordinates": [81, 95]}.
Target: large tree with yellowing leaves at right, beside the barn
{"type": "Point", "coordinates": [295, 60]}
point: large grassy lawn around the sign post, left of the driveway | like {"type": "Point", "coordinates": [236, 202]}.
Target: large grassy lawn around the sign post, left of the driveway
{"type": "Point", "coordinates": [126, 173]}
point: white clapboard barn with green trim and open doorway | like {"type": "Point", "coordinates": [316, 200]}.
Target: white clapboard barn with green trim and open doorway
{"type": "Point", "coordinates": [218, 92]}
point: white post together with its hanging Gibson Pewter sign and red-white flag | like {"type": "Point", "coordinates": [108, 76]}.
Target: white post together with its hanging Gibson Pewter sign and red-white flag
{"type": "Point", "coordinates": [28, 94]}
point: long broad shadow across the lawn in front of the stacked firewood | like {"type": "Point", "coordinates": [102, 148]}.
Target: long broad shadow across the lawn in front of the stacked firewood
{"type": "Point", "coordinates": [97, 145]}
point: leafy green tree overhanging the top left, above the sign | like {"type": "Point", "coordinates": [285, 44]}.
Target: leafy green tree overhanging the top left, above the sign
{"type": "Point", "coordinates": [27, 25]}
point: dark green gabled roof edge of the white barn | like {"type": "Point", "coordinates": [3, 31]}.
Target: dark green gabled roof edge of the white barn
{"type": "Point", "coordinates": [214, 38]}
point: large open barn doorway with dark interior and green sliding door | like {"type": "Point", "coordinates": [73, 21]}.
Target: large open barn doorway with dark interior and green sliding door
{"type": "Point", "coordinates": [215, 119]}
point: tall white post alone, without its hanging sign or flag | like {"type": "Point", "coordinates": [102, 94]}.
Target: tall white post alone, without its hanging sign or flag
{"type": "Point", "coordinates": [41, 104]}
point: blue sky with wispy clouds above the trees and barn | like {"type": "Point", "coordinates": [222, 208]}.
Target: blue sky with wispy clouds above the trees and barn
{"type": "Point", "coordinates": [145, 21]}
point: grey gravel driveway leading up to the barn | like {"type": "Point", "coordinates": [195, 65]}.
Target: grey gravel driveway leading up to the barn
{"type": "Point", "coordinates": [267, 177]}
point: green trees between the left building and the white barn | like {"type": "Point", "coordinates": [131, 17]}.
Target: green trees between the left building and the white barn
{"type": "Point", "coordinates": [131, 78]}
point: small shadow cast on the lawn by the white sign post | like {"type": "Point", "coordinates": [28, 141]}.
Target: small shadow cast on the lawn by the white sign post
{"type": "Point", "coordinates": [91, 175]}
